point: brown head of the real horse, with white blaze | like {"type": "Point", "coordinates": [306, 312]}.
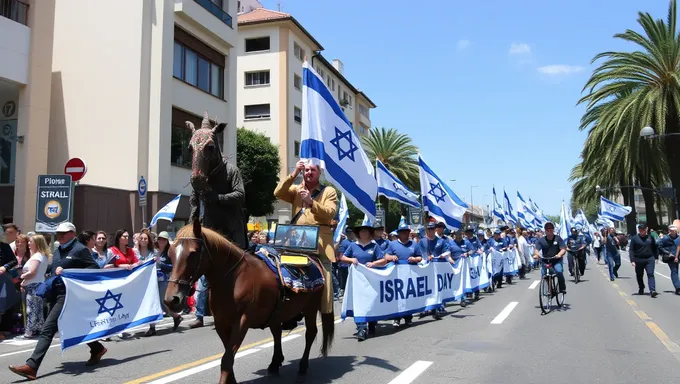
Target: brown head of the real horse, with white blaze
{"type": "Point", "coordinates": [188, 265]}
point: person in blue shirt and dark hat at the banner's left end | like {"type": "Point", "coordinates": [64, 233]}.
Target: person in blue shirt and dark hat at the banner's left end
{"type": "Point", "coordinates": [364, 251]}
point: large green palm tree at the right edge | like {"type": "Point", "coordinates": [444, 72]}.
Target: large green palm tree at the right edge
{"type": "Point", "coordinates": [630, 90]}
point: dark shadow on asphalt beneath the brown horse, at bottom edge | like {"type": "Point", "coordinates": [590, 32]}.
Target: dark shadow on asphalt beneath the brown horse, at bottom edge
{"type": "Point", "coordinates": [321, 370]}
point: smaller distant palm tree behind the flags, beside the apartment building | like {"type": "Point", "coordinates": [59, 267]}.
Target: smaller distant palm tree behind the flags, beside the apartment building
{"type": "Point", "coordinates": [398, 153]}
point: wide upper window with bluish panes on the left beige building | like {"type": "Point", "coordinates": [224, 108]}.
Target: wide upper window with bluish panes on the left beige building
{"type": "Point", "coordinates": [197, 70]}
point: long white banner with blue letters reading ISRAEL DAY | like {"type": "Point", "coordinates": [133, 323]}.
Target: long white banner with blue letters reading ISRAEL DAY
{"type": "Point", "coordinates": [398, 290]}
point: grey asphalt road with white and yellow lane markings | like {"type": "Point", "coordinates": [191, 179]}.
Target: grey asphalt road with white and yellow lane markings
{"type": "Point", "coordinates": [605, 334]}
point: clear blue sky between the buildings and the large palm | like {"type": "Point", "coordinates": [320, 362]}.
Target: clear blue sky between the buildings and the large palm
{"type": "Point", "coordinates": [487, 90]}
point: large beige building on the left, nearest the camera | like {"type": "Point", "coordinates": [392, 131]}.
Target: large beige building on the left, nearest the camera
{"type": "Point", "coordinates": [124, 77]}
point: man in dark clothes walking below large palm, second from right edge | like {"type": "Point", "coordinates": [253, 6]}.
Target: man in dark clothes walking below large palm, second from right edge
{"type": "Point", "coordinates": [644, 255]}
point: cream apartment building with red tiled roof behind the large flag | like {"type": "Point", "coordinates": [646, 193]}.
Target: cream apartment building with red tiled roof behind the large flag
{"type": "Point", "coordinates": [272, 47]}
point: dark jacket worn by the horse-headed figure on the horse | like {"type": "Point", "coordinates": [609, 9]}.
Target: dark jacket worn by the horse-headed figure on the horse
{"type": "Point", "coordinates": [224, 205]}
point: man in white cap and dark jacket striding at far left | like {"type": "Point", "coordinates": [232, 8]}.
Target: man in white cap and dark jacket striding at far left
{"type": "Point", "coordinates": [70, 254]}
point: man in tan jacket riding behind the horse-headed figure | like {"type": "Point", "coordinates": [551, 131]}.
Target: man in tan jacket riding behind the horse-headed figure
{"type": "Point", "coordinates": [313, 204]}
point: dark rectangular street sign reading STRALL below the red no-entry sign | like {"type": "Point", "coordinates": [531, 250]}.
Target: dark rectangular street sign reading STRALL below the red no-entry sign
{"type": "Point", "coordinates": [54, 202]}
